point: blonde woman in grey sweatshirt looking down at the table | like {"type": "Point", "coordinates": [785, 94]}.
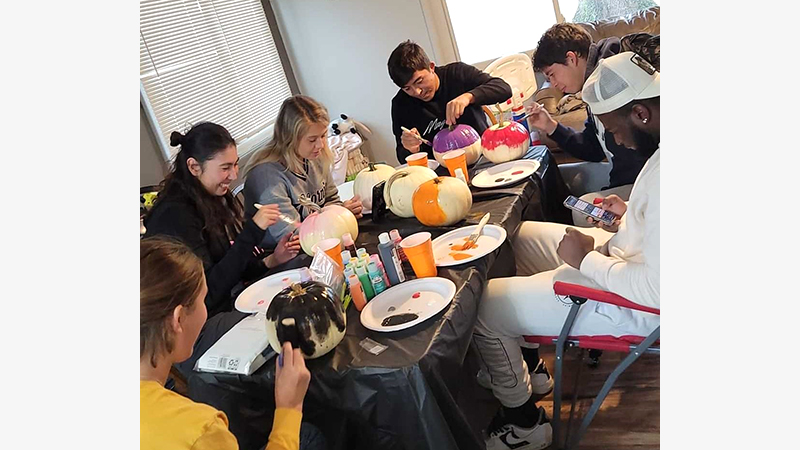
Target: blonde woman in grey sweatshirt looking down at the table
{"type": "Point", "coordinates": [295, 164]}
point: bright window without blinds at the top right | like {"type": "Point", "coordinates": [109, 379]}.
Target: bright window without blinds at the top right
{"type": "Point", "coordinates": [484, 33]}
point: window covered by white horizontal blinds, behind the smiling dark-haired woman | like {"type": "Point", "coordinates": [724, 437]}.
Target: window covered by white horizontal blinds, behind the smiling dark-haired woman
{"type": "Point", "coordinates": [210, 60]}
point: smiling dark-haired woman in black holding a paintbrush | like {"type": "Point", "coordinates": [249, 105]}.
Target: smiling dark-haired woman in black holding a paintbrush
{"type": "Point", "coordinates": [197, 207]}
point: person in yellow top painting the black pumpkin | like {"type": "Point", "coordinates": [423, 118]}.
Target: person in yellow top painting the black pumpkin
{"type": "Point", "coordinates": [172, 310]}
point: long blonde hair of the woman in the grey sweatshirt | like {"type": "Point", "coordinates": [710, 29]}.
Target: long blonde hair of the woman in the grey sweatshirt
{"type": "Point", "coordinates": [297, 113]}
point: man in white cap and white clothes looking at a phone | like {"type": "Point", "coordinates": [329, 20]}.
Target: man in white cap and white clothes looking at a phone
{"type": "Point", "coordinates": [624, 93]}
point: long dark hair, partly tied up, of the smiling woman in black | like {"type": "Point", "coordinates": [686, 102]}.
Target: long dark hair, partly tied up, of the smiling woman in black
{"type": "Point", "coordinates": [222, 216]}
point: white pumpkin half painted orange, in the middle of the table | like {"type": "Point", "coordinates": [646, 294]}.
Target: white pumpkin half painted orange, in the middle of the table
{"type": "Point", "coordinates": [442, 201]}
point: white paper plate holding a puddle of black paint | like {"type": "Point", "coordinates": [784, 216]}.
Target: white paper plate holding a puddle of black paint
{"type": "Point", "coordinates": [424, 297]}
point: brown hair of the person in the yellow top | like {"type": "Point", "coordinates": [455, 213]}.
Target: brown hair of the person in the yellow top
{"type": "Point", "coordinates": [169, 275]}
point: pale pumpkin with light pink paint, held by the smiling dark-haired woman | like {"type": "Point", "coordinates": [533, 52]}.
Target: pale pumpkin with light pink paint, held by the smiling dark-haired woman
{"type": "Point", "coordinates": [332, 221]}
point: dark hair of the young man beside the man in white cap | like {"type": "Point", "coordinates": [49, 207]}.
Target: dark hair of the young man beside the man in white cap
{"type": "Point", "coordinates": [557, 41]}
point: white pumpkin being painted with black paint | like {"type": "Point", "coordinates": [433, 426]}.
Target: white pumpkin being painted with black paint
{"type": "Point", "coordinates": [308, 314]}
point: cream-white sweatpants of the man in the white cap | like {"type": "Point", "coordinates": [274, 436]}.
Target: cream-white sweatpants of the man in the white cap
{"type": "Point", "coordinates": [527, 305]}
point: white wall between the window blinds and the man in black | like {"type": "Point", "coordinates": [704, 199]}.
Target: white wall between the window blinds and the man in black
{"type": "Point", "coordinates": [339, 49]}
